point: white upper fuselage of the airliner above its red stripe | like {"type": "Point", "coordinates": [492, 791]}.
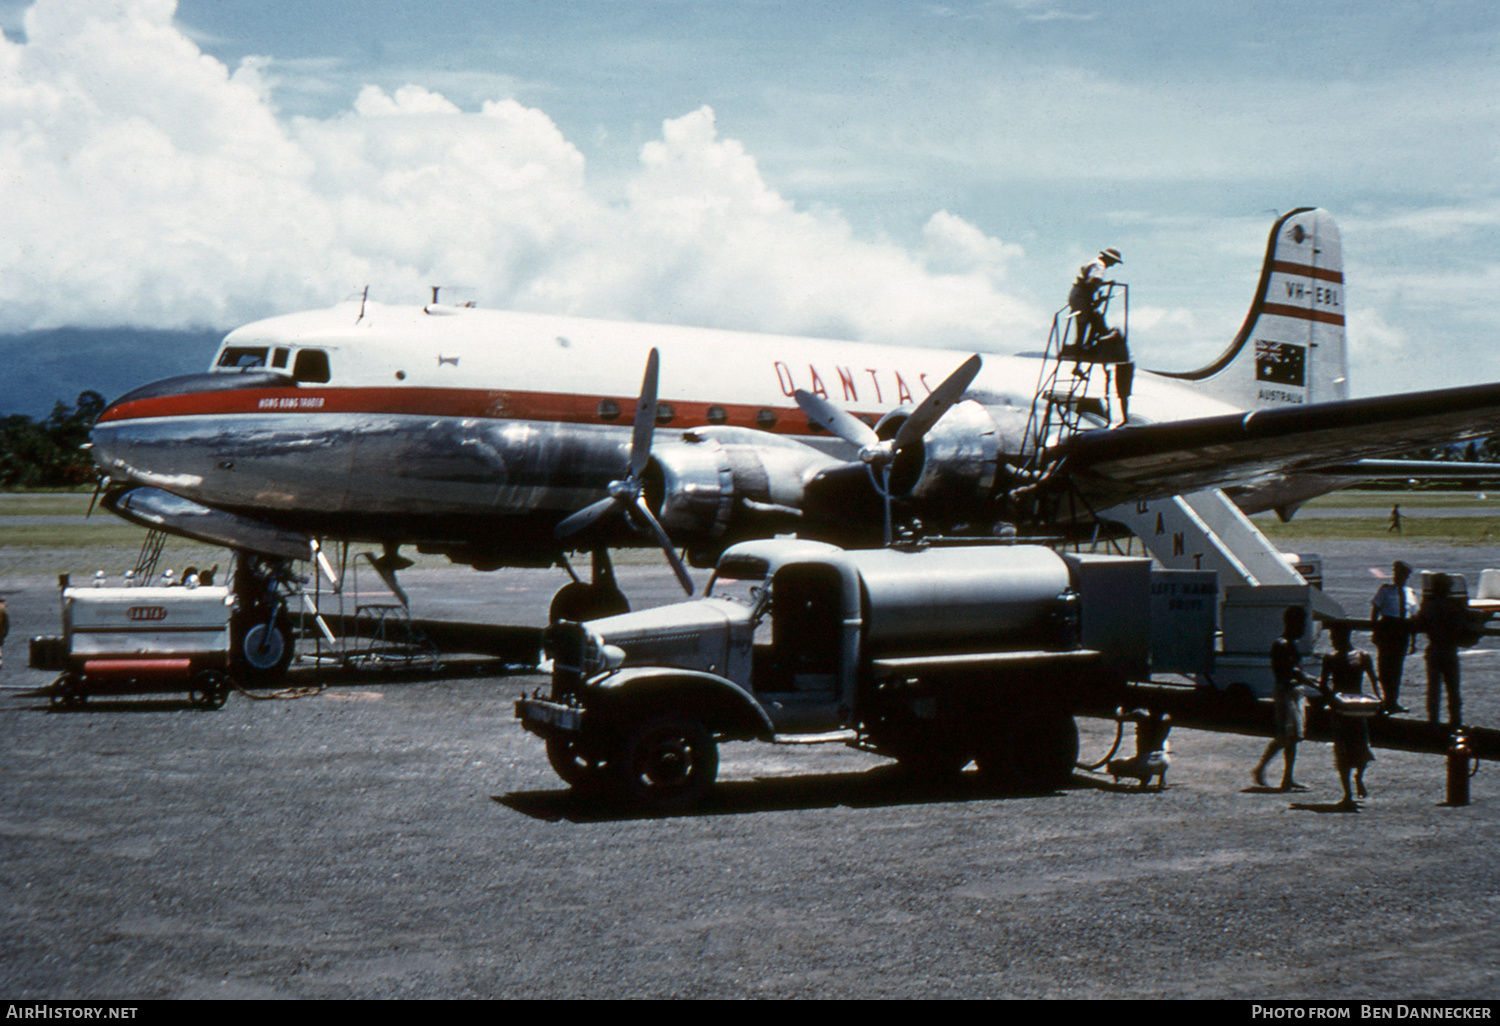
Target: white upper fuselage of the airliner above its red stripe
{"type": "Point", "coordinates": [569, 364]}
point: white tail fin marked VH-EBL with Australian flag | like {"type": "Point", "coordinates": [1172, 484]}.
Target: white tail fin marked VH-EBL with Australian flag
{"type": "Point", "coordinates": [1291, 349]}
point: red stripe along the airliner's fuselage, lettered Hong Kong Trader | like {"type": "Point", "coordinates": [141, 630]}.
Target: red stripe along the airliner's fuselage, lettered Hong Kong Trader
{"type": "Point", "coordinates": [440, 403]}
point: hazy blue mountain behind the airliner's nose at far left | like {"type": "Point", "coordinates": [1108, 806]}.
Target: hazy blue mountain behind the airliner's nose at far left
{"type": "Point", "coordinates": [40, 368]}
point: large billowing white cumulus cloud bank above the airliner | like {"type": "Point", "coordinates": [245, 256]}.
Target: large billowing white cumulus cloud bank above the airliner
{"type": "Point", "coordinates": [145, 184]}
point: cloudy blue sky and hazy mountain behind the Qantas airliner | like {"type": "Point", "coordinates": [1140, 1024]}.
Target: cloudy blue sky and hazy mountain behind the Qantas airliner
{"type": "Point", "coordinates": [916, 173]}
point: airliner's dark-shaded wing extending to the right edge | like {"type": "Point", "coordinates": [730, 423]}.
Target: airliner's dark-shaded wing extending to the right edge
{"type": "Point", "coordinates": [1153, 461]}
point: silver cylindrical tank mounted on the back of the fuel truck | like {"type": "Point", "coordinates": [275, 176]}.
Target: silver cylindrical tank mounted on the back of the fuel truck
{"type": "Point", "coordinates": [991, 596]}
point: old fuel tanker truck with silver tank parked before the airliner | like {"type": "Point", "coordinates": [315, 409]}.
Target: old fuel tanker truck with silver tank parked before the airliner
{"type": "Point", "coordinates": [934, 656]}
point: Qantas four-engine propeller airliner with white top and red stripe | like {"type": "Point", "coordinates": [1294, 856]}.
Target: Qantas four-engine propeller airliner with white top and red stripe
{"type": "Point", "coordinates": [503, 439]}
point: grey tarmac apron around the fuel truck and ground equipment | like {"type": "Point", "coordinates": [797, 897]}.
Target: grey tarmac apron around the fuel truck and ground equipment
{"type": "Point", "coordinates": [403, 838]}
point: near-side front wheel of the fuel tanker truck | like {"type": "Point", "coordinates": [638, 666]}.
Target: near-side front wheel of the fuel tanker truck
{"type": "Point", "coordinates": [668, 763]}
